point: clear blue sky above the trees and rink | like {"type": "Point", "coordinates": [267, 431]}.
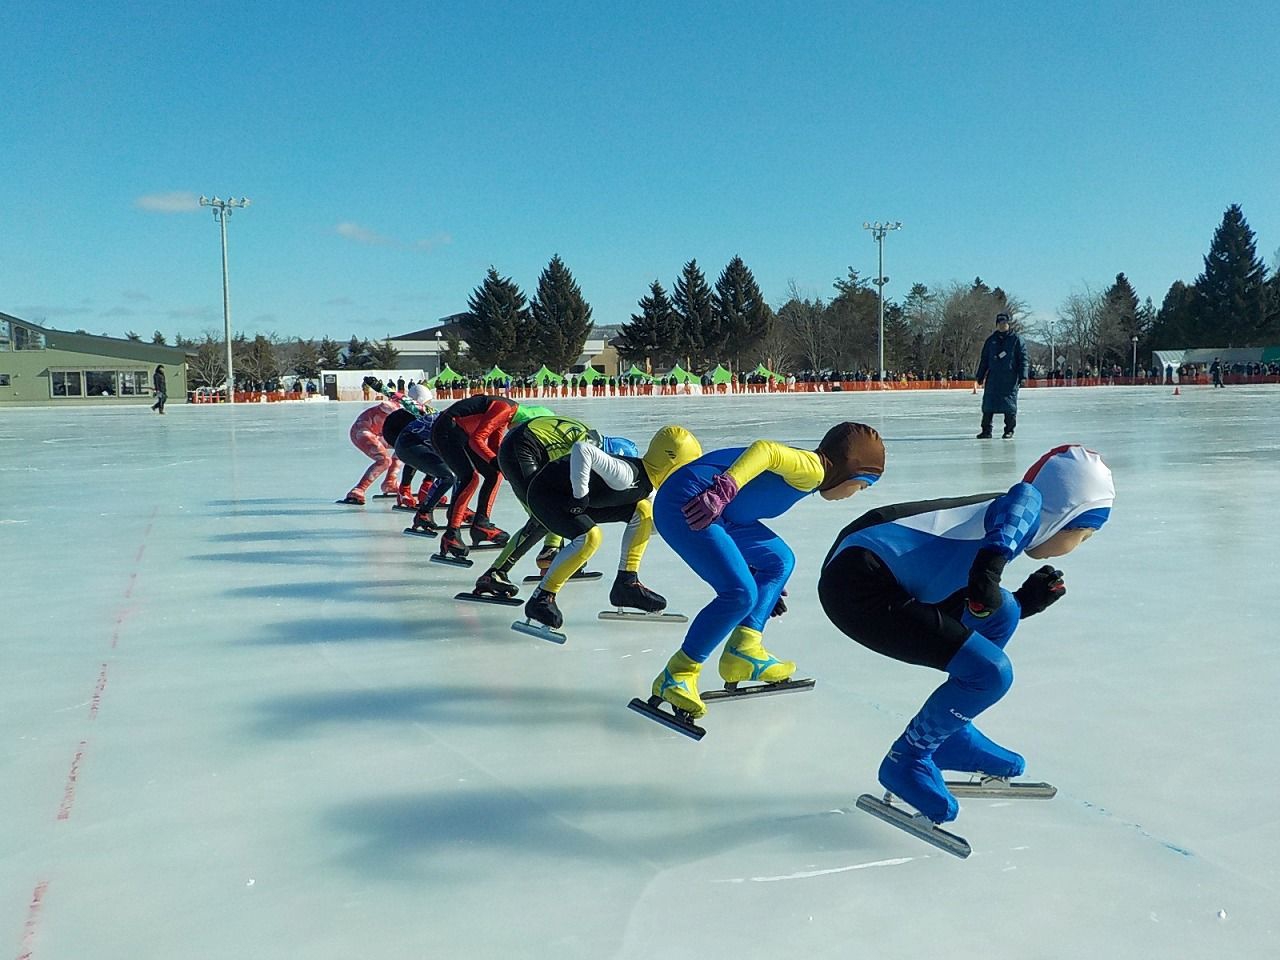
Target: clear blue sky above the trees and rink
{"type": "Point", "coordinates": [395, 152]}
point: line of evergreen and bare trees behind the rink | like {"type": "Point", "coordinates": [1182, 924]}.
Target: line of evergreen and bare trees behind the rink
{"type": "Point", "coordinates": [1235, 303]}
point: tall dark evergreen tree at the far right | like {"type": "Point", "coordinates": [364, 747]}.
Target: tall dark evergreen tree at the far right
{"type": "Point", "coordinates": [1232, 309]}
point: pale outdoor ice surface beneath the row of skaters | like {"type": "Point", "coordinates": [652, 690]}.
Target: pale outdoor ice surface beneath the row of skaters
{"type": "Point", "coordinates": [241, 721]}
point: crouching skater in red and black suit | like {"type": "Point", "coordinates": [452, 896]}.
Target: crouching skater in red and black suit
{"type": "Point", "coordinates": [468, 436]}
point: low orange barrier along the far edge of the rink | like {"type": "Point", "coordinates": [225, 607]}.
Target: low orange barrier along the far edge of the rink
{"type": "Point", "coordinates": [653, 390]}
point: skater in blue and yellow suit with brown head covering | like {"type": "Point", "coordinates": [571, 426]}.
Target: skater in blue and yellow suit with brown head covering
{"type": "Point", "coordinates": [710, 513]}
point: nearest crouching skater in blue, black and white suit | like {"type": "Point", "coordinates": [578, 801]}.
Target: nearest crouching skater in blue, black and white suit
{"type": "Point", "coordinates": [921, 583]}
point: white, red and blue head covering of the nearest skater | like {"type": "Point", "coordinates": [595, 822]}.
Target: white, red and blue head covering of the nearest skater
{"type": "Point", "coordinates": [1076, 487]}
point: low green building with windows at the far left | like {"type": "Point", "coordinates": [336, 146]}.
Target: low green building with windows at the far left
{"type": "Point", "coordinates": [40, 365]}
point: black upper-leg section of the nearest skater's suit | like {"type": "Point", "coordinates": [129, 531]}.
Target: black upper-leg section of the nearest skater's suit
{"type": "Point", "coordinates": [867, 604]}
